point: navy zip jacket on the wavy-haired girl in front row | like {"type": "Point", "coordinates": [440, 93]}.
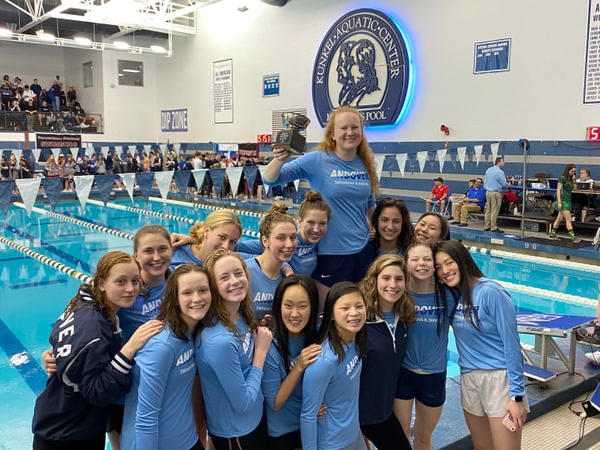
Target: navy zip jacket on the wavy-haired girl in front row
{"type": "Point", "coordinates": [380, 371]}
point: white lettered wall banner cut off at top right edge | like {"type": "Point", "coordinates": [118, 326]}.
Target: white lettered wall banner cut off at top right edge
{"type": "Point", "coordinates": [591, 82]}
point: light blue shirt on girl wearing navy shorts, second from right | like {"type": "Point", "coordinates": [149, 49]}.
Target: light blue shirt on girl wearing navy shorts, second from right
{"type": "Point", "coordinates": [426, 351]}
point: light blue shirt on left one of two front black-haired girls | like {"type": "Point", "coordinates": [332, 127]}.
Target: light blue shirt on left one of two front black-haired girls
{"type": "Point", "coordinates": [287, 418]}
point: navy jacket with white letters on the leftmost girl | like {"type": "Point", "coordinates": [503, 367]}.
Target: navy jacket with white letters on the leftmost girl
{"type": "Point", "coordinates": [91, 374]}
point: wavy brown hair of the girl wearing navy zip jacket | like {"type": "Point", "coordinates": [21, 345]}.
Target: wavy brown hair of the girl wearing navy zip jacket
{"type": "Point", "coordinates": [404, 307]}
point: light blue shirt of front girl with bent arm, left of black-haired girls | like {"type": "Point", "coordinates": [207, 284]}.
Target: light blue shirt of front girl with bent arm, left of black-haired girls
{"type": "Point", "coordinates": [231, 385]}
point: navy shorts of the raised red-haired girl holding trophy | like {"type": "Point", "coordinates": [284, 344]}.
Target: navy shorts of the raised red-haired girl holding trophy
{"type": "Point", "coordinates": [332, 269]}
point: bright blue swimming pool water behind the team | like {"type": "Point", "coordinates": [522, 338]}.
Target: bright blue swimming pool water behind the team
{"type": "Point", "coordinates": [32, 295]}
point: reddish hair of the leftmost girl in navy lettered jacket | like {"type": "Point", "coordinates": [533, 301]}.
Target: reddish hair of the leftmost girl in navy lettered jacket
{"type": "Point", "coordinates": [105, 265]}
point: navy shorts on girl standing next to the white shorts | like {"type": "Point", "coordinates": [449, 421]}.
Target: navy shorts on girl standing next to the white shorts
{"type": "Point", "coordinates": [429, 389]}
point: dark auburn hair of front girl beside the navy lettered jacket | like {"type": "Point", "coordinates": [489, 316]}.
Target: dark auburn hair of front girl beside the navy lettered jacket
{"type": "Point", "coordinates": [170, 310]}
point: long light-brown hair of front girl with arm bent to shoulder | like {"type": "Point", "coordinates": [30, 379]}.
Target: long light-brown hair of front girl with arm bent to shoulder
{"type": "Point", "coordinates": [222, 314]}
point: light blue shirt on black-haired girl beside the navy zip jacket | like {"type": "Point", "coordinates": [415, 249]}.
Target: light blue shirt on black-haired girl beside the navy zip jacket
{"type": "Point", "coordinates": [337, 385]}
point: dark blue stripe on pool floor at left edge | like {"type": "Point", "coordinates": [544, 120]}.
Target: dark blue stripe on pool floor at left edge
{"type": "Point", "coordinates": [22, 360]}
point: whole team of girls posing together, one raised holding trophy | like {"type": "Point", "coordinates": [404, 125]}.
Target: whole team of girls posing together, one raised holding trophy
{"type": "Point", "coordinates": [324, 334]}
